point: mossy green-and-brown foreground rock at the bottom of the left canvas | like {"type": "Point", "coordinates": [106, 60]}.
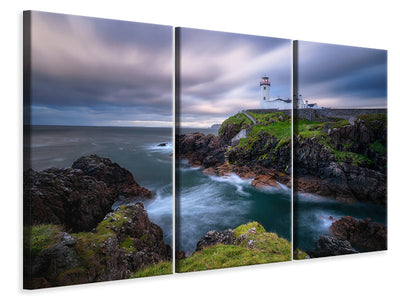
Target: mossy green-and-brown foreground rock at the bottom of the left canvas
{"type": "Point", "coordinates": [124, 242]}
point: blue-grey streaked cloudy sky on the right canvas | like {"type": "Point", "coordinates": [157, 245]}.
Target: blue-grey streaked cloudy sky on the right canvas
{"type": "Point", "coordinates": [342, 76]}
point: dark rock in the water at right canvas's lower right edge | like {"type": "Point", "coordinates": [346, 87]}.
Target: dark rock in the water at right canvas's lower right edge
{"type": "Point", "coordinates": [364, 234]}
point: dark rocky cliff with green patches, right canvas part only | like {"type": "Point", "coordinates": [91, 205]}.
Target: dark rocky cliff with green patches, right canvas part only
{"type": "Point", "coordinates": [342, 160]}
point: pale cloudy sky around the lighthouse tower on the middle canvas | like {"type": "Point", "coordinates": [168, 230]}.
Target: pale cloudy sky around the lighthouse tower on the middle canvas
{"type": "Point", "coordinates": [220, 73]}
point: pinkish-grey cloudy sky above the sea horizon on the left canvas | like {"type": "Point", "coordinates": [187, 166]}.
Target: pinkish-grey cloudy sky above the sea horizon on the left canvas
{"type": "Point", "coordinates": [99, 72]}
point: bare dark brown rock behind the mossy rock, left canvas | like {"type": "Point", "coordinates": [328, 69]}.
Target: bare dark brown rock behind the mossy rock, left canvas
{"type": "Point", "coordinates": [79, 197]}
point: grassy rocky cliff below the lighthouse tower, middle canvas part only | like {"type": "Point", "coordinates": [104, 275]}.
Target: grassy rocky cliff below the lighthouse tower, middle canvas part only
{"type": "Point", "coordinates": [264, 153]}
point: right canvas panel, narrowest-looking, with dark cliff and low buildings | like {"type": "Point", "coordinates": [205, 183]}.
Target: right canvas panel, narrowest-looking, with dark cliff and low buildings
{"type": "Point", "coordinates": [340, 150]}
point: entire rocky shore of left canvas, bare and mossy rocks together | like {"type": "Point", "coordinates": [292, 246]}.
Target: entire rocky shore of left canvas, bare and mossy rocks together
{"type": "Point", "coordinates": [71, 234]}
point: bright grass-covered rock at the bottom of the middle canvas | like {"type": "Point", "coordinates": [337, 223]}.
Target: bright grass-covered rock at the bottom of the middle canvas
{"type": "Point", "coordinates": [247, 244]}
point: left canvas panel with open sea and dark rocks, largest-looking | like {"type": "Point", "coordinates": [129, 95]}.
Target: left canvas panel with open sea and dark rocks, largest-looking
{"type": "Point", "coordinates": [97, 149]}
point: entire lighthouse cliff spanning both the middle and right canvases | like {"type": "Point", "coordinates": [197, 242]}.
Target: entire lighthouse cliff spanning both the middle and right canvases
{"type": "Point", "coordinates": [334, 158]}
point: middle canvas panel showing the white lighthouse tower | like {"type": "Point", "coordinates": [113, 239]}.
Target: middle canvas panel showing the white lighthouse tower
{"type": "Point", "coordinates": [233, 149]}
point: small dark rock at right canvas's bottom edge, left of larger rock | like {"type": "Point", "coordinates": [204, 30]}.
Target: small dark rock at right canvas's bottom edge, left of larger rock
{"type": "Point", "coordinates": [331, 246]}
